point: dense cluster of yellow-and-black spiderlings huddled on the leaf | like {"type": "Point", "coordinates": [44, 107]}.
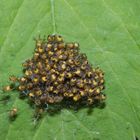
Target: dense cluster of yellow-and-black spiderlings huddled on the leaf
{"type": "Point", "coordinates": [57, 72]}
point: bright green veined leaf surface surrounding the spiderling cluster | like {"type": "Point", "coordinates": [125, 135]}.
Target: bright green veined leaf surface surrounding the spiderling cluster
{"type": "Point", "coordinates": [108, 32]}
